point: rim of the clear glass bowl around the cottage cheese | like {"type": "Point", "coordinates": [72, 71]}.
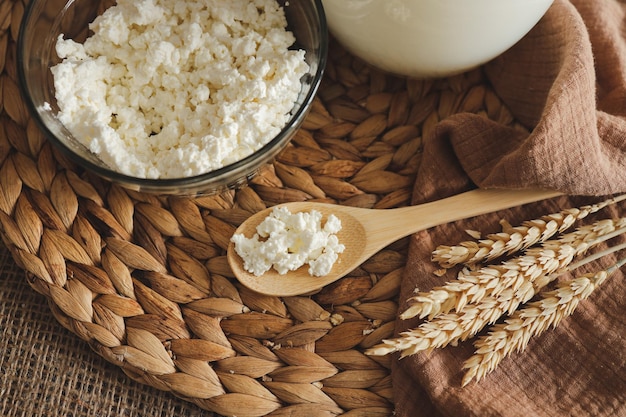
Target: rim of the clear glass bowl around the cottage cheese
{"type": "Point", "coordinates": [227, 177]}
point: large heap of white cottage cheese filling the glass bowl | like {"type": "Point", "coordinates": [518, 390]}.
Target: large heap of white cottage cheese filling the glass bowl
{"type": "Point", "coordinates": [175, 88]}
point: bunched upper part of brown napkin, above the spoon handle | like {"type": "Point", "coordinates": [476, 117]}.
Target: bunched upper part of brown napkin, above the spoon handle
{"type": "Point", "coordinates": [575, 110]}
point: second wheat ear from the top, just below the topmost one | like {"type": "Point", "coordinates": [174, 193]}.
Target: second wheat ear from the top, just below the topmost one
{"type": "Point", "coordinates": [472, 286]}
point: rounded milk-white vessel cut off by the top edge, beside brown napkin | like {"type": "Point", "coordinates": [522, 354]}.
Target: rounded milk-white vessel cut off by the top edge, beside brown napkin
{"type": "Point", "coordinates": [431, 38]}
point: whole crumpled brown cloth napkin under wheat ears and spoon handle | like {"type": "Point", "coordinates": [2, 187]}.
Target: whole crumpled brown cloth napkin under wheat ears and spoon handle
{"type": "Point", "coordinates": [566, 82]}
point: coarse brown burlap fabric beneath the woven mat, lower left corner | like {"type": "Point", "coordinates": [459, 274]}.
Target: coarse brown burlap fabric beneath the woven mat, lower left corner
{"type": "Point", "coordinates": [46, 371]}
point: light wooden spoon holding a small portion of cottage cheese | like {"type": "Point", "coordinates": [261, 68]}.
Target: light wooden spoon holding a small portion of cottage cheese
{"type": "Point", "coordinates": [366, 231]}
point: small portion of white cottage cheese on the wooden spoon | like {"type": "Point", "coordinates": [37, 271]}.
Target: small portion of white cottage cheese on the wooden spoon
{"type": "Point", "coordinates": [287, 241]}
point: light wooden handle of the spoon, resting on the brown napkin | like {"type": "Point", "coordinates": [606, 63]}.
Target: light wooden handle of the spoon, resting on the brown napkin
{"type": "Point", "coordinates": [387, 226]}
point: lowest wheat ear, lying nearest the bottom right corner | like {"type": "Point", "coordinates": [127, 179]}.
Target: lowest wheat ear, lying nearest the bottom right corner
{"type": "Point", "coordinates": [514, 334]}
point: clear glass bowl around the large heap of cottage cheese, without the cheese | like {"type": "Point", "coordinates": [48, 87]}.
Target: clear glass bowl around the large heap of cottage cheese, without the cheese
{"type": "Point", "coordinates": [44, 20]}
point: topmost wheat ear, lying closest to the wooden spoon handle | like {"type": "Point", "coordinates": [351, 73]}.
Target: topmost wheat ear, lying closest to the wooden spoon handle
{"type": "Point", "coordinates": [515, 239]}
